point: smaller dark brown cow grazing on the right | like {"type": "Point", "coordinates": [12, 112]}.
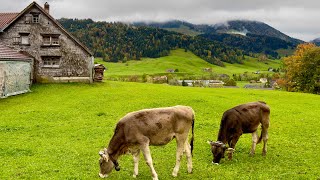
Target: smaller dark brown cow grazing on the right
{"type": "Point", "coordinates": [241, 119]}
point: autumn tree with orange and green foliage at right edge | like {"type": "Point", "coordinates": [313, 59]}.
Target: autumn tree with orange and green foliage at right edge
{"type": "Point", "coordinates": [302, 69]}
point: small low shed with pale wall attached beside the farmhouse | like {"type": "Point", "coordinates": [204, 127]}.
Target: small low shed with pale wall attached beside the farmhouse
{"type": "Point", "coordinates": [15, 72]}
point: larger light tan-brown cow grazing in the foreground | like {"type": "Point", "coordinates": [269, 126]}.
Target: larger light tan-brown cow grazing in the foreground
{"type": "Point", "coordinates": [137, 130]}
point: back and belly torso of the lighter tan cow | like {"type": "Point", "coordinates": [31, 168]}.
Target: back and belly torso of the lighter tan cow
{"type": "Point", "coordinates": [160, 124]}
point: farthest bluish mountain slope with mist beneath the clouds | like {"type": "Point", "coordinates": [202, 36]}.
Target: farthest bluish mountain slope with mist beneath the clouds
{"type": "Point", "coordinates": [249, 36]}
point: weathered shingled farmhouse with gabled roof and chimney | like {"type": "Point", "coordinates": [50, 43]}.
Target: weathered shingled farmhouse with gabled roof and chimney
{"type": "Point", "coordinates": [57, 55]}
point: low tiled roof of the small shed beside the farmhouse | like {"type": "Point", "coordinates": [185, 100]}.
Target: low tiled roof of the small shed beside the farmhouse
{"type": "Point", "coordinates": [7, 53]}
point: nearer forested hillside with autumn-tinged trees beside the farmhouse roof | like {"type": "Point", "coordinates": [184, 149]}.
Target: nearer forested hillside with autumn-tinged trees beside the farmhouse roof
{"type": "Point", "coordinates": [119, 42]}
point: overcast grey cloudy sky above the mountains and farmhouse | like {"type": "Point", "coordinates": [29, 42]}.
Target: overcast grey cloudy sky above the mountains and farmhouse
{"type": "Point", "coordinates": [296, 18]}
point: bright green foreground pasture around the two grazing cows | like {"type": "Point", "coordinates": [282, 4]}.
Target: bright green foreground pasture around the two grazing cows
{"type": "Point", "coordinates": [56, 131]}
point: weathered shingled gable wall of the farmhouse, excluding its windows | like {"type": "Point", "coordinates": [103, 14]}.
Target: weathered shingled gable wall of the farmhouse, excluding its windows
{"type": "Point", "coordinates": [75, 63]}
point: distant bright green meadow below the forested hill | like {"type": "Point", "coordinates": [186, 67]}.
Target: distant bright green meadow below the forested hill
{"type": "Point", "coordinates": [187, 63]}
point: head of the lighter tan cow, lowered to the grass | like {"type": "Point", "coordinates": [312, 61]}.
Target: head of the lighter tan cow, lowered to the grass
{"type": "Point", "coordinates": [106, 164]}
